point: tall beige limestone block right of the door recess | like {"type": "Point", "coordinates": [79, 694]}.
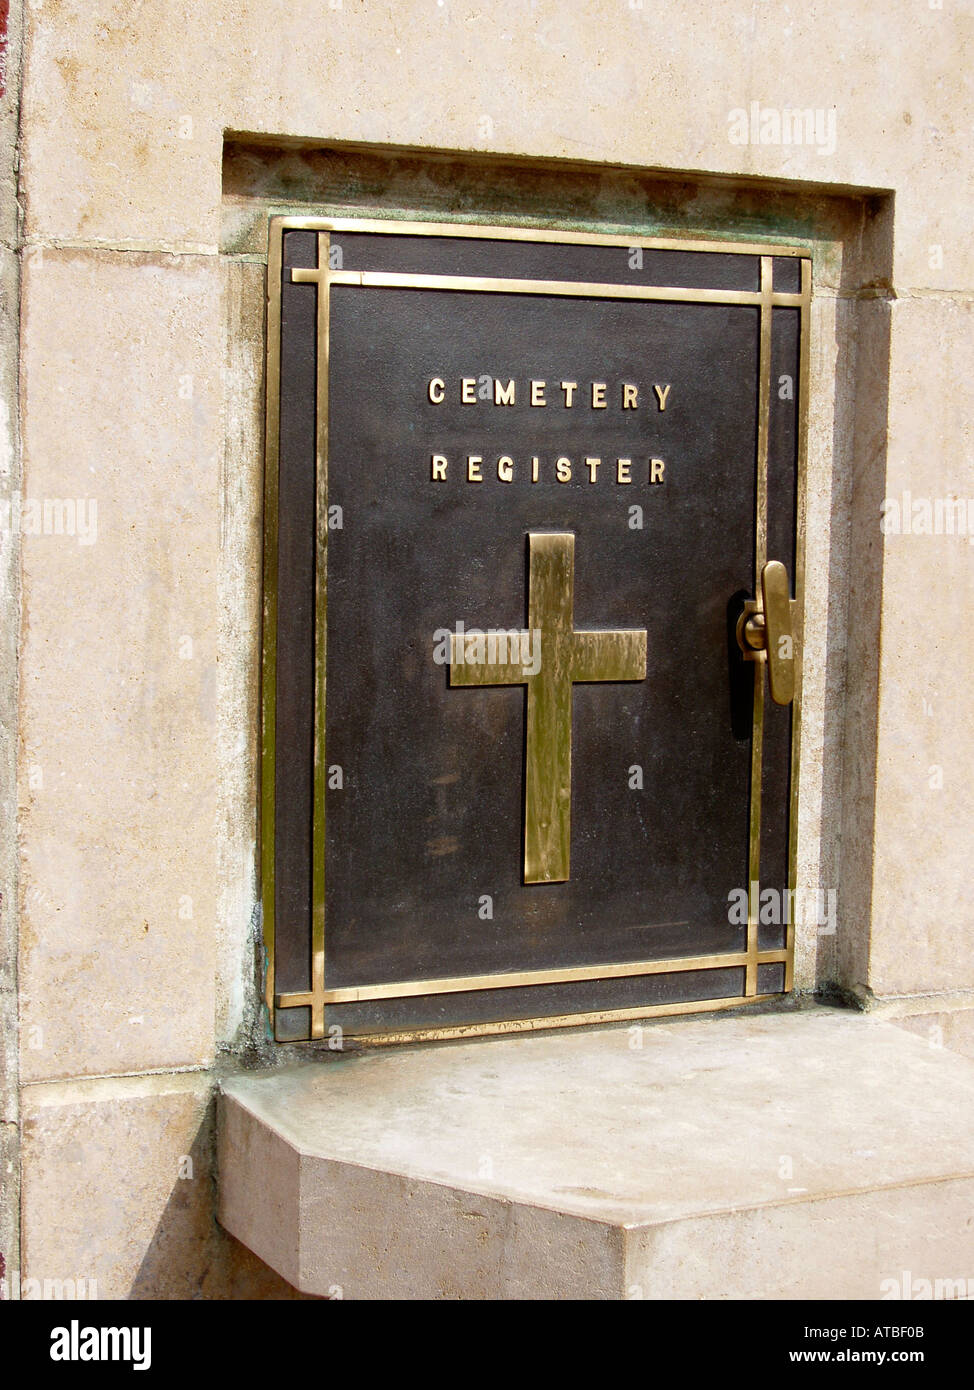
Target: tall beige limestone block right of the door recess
{"type": "Point", "coordinates": [926, 751]}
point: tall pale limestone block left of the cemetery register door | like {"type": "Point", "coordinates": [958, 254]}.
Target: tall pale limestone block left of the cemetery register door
{"type": "Point", "coordinates": [117, 769]}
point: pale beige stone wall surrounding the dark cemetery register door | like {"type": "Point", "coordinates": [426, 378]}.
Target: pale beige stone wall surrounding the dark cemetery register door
{"type": "Point", "coordinates": [154, 142]}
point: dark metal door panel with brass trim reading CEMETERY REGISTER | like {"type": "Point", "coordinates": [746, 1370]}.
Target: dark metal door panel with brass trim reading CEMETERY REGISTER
{"type": "Point", "coordinates": [418, 917]}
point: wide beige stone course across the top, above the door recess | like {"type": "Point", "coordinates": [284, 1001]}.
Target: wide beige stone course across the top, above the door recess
{"type": "Point", "coordinates": [626, 84]}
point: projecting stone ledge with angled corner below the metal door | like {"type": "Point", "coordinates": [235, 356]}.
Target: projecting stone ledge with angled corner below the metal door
{"type": "Point", "coordinates": [812, 1154]}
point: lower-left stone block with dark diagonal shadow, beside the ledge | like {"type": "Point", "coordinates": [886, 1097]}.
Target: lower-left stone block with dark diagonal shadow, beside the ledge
{"type": "Point", "coordinates": [119, 1191]}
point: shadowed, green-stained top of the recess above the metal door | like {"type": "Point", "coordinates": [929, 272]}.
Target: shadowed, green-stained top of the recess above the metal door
{"type": "Point", "coordinates": [263, 181]}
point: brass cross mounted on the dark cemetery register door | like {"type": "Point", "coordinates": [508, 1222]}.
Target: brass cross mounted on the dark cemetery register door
{"type": "Point", "coordinates": [566, 657]}
